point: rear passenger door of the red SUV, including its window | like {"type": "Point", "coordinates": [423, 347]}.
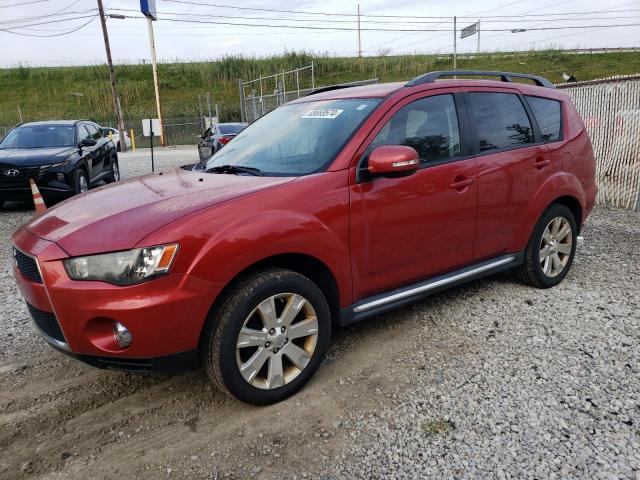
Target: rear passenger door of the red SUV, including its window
{"type": "Point", "coordinates": [512, 161]}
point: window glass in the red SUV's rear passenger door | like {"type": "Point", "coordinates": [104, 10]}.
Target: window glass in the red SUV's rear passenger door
{"type": "Point", "coordinates": [501, 121]}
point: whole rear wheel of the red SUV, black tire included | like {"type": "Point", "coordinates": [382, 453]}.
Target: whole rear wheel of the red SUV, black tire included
{"type": "Point", "coordinates": [549, 271]}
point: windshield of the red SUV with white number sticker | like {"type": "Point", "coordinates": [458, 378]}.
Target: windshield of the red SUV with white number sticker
{"type": "Point", "coordinates": [295, 139]}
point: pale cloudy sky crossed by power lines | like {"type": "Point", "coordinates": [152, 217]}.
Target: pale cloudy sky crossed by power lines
{"type": "Point", "coordinates": [417, 27]}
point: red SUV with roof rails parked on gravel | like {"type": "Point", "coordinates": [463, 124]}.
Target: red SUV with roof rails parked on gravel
{"type": "Point", "coordinates": [331, 209]}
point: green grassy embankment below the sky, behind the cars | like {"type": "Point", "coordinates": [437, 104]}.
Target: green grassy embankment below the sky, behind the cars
{"type": "Point", "coordinates": [84, 91]}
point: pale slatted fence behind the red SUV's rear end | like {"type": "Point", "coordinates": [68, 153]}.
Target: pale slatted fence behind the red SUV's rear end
{"type": "Point", "coordinates": [610, 109]}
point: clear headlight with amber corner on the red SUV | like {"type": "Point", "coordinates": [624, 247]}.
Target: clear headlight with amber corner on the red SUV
{"type": "Point", "coordinates": [123, 268]}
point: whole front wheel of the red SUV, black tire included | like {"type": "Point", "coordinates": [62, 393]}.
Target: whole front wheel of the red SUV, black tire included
{"type": "Point", "coordinates": [263, 382]}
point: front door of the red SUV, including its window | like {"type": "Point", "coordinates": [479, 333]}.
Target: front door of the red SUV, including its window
{"type": "Point", "coordinates": [407, 228]}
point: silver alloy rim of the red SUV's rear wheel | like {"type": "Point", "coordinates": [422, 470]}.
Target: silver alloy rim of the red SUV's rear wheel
{"type": "Point", "coordinates": [555, 246]}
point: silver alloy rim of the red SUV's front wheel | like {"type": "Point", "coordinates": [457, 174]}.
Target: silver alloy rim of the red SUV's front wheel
{"type": "Point", "coordinates": [277, 340]}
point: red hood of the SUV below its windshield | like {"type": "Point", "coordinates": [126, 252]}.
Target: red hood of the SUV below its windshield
{"type": "Point", "coordinates": [119, 216]}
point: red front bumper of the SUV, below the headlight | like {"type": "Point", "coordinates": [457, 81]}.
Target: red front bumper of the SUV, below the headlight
{"type": "Point", "coordinates": [165, 316]}
